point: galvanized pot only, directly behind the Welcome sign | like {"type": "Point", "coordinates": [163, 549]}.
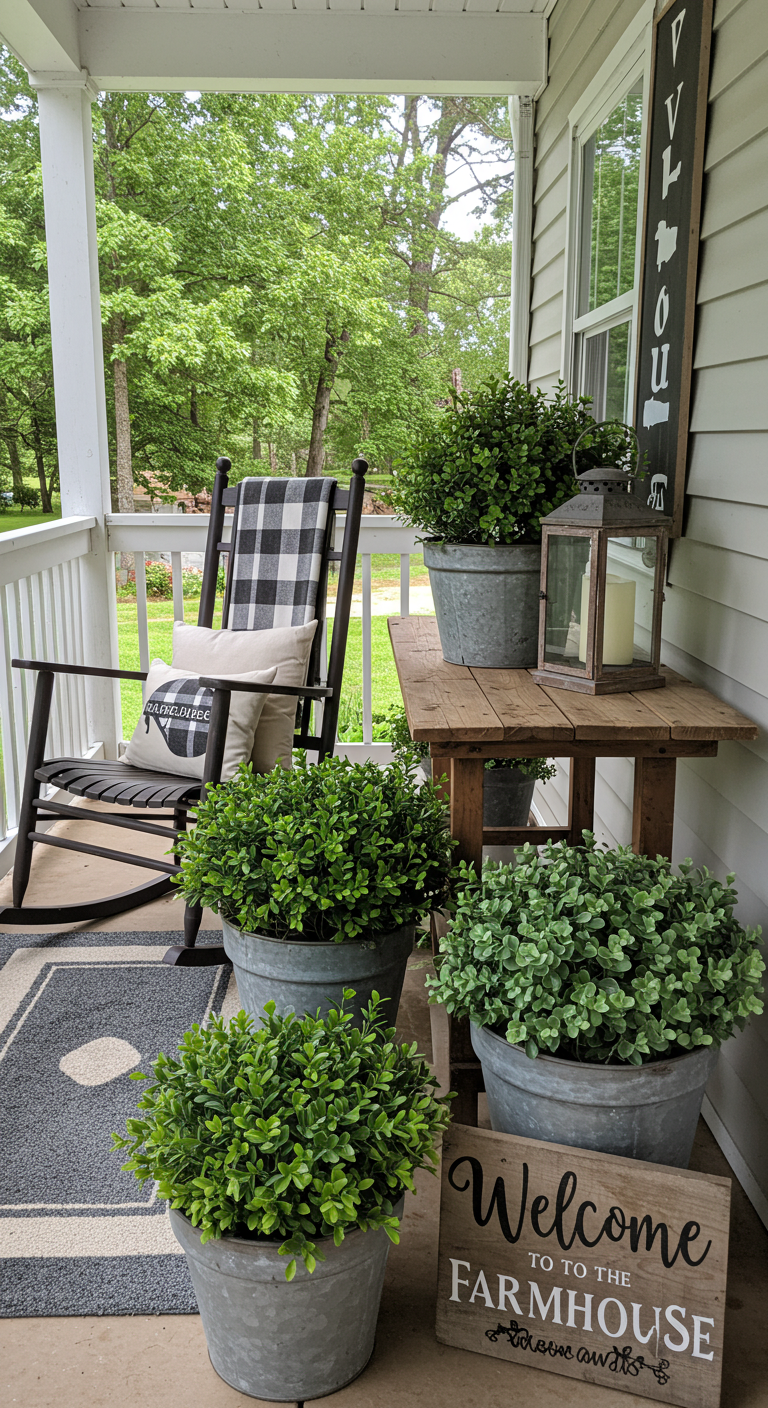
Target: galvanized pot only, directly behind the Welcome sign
{"type": "Point", "coordinates": [638, 1112]}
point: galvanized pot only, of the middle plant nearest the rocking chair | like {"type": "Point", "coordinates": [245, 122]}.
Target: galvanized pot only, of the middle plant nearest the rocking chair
{"type": "Point", "coordinates": [302, 978]}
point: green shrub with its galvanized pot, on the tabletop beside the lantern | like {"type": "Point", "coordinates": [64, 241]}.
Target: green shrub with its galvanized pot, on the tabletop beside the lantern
{"type": "Point", "coordinates": [477, 479]}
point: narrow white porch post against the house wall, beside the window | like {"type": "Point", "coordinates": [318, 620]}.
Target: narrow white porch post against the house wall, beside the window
{"type": "Point", "coordinates": [522, 120]}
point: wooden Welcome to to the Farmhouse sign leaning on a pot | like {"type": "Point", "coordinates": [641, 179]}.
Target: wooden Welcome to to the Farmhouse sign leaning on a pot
{"type": "Point", "coordinates": [586, 1265]}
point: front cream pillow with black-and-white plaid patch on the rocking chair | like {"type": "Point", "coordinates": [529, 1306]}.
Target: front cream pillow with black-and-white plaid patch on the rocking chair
{"type": "Point", "coordinates": [174, 727]}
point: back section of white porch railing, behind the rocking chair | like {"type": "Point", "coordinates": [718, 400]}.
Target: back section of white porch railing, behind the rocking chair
{"type": "Point", "coordinates": [147, 536]}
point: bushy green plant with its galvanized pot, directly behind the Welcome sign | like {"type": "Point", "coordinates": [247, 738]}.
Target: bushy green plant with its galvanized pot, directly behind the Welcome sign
{"type": "Point", "coordinates": [600, 988]}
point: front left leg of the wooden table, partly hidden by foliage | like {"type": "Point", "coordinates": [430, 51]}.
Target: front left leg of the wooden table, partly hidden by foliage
{"type": "Point", "coordinates": [467, 826]}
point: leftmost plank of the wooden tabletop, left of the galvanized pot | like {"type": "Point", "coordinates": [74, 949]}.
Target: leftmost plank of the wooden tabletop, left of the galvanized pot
{"type": "Point", "coordinates": [443, 702]}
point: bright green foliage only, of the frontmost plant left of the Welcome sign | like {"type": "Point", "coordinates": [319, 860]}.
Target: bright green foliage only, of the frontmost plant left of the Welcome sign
{"type": "Point", "coordinates": [302, 1130]}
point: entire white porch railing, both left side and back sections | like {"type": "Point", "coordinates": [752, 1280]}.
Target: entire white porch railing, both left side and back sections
{"type": "Point", "coordinates": [42, 619]}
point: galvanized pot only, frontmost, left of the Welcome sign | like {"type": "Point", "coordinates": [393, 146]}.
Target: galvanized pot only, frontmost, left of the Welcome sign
{"type": "Point", "coordinates": [287, 1341]}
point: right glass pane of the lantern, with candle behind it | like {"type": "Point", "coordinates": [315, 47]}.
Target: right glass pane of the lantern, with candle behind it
{"type": "Point", "coordinates": [629, 606]}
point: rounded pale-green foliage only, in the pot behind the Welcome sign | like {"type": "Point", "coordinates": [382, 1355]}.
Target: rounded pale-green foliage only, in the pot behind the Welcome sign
{"type": "Point", "coordinates": [600, 955]}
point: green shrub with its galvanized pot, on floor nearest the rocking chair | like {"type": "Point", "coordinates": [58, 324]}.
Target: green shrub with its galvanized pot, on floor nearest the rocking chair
{"type": "Point", "coordinates": [321, 875]}
